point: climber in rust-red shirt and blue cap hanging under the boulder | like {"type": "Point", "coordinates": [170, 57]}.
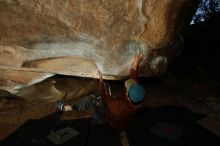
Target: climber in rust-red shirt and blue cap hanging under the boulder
{"type": "Point", "coordinates": [119, 111]}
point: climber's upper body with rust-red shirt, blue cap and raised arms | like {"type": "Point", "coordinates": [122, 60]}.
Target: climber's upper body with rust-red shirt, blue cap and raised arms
{"type": "Point", "coordinates": [119, 111]}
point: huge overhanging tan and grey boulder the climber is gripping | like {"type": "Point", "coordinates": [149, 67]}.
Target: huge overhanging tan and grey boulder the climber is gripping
{"type": "Point", "coordinates": [74, 37]}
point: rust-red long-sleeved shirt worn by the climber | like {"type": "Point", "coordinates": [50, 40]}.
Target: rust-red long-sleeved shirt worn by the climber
{"type": "Point", "coordinates": [119, 111]}
